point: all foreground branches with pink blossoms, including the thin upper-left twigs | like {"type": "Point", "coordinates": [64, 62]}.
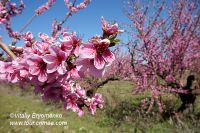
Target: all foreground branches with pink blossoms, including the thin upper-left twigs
{"type": "Point", "coordinates": [54, 63]}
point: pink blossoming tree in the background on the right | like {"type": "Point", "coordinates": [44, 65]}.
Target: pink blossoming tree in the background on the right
{"type": "Point", "coordinates": [165, 44]}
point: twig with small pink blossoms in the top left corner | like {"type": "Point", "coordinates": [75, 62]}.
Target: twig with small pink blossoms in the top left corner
{"type": "Point", "coordinates": [8, 10]}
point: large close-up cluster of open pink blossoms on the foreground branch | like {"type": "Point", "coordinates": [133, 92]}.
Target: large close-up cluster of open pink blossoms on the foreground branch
{"type": "Point", "coordinates": [54, 66]}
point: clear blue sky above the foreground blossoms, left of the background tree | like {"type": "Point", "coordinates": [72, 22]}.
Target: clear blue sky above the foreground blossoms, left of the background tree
{"type": "Point", "coordinates": [86, 22]}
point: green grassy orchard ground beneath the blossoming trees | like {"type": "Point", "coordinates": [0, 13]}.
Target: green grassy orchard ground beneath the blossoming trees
{"type": "Point", "coordinates": [121, 113]}
